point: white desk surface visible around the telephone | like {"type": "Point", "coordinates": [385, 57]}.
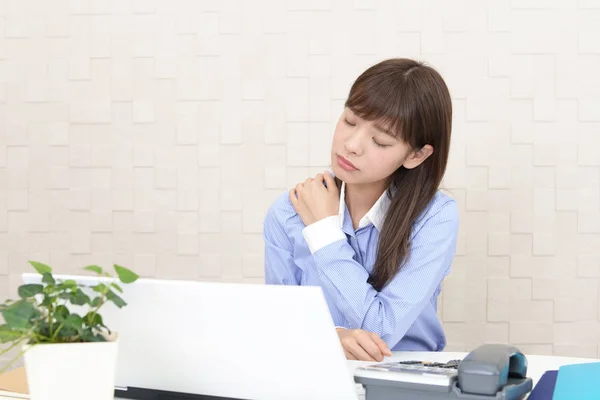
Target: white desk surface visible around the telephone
{"type": "Point", "coordinates": [537, 365]}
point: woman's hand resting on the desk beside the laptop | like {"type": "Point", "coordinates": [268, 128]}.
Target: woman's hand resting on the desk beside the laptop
{"type": "Point", "coordinates": [361, 345]}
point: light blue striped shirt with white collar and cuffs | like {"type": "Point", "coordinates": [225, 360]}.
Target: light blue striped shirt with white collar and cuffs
{"type": "Point", "coordinates": [333, 255]}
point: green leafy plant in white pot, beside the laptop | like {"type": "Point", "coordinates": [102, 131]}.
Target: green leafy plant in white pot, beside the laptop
{"type": "Point", "coordinates": [68, 355]}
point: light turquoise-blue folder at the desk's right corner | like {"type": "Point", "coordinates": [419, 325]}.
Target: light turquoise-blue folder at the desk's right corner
{"type": "Point", "coordinates": [578, 381]}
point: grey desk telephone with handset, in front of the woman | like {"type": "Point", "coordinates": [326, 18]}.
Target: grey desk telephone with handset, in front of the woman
{"type": "Point", "coordinates": [491, 371]}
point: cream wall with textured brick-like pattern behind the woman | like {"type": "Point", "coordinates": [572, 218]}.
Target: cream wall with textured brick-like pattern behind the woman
{"type": "Point", "coordinates": [156, 133]}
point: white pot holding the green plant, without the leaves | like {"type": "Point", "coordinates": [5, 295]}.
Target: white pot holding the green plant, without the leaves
{"type": "Point", "coordinates": [72, 371]}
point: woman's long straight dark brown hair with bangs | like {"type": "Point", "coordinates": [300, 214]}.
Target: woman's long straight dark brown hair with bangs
{"type": "Point", "coordinates": [413, 100]}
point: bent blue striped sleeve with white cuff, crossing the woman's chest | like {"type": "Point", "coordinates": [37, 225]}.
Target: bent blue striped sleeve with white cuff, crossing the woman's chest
{"type": "Point", "coordinates": [391, 312]}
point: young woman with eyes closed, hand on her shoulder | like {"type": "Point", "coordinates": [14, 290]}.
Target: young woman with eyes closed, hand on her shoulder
{"type": "Point", "coordinates": [380, 237]}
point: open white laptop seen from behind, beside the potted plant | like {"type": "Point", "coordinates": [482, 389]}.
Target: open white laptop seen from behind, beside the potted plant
{"type": "Point", "coordinates": [226, 340]}
